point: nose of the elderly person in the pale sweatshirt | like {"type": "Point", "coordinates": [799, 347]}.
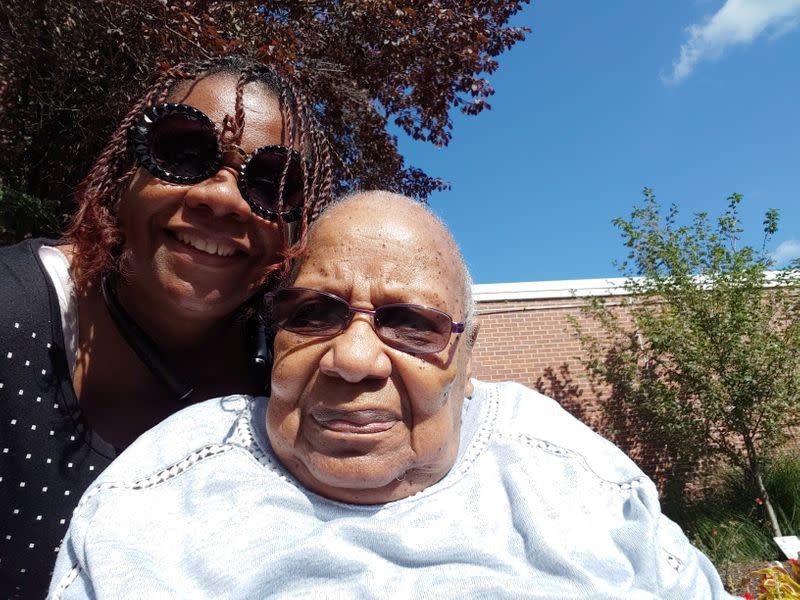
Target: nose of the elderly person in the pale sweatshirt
{"type": "Point", "coordinates": [357, 354]}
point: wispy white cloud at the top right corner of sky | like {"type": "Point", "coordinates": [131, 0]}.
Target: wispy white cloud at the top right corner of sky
{"type": "Point", "coordinates": [737, 22]}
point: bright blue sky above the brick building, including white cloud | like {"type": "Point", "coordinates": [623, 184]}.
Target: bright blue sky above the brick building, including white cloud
{"type": "Point", "coordinates": [696, 99]}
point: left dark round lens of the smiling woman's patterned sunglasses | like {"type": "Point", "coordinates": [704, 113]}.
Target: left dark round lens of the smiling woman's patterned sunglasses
{"type": "Point", "coordinates": [184, 146]}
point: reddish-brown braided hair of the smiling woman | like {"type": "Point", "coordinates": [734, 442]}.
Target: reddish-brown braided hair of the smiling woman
{"type": "Point", "coordinates": [94, 231]}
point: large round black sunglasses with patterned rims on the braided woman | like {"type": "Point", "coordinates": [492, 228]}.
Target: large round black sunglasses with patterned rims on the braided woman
{"type": "Point", "coordinates": [180, 144]}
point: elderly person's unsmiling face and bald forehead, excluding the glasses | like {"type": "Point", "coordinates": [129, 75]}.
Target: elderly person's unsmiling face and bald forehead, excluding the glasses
{"type": "Point", "coordinates": [352, 418]}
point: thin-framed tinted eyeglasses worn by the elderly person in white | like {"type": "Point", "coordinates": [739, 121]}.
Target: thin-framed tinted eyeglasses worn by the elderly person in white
{"type": "Point", "coordinates": [407, 327]}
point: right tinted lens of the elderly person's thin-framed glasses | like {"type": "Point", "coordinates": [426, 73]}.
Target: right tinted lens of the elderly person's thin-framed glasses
{"type": "Point", "coordinates": [413, 328]}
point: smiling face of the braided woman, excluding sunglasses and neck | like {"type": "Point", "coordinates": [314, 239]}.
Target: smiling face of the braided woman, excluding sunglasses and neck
{"type": "Point", "coordinates": [198, 249]}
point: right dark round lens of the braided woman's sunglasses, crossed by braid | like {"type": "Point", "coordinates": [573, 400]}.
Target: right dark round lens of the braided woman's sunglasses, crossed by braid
{"type": "Point", "coordinates": [263, 180]}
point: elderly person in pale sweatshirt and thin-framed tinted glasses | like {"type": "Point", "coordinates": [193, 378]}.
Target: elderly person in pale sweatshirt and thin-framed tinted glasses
{"type": "Point", "coordinates": [375, 469]}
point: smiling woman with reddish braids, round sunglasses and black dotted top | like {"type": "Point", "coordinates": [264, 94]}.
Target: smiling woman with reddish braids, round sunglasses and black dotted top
{"type": "Point", "coordinates": [185, 216]}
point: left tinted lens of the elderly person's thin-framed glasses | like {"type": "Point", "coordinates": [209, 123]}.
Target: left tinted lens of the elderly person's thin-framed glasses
{"type": "Point", "coordinates": [308, 312]}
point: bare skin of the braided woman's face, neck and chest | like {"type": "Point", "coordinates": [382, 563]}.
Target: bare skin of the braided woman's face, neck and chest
{"type": "Point", "coordinates": [194, 254]}
